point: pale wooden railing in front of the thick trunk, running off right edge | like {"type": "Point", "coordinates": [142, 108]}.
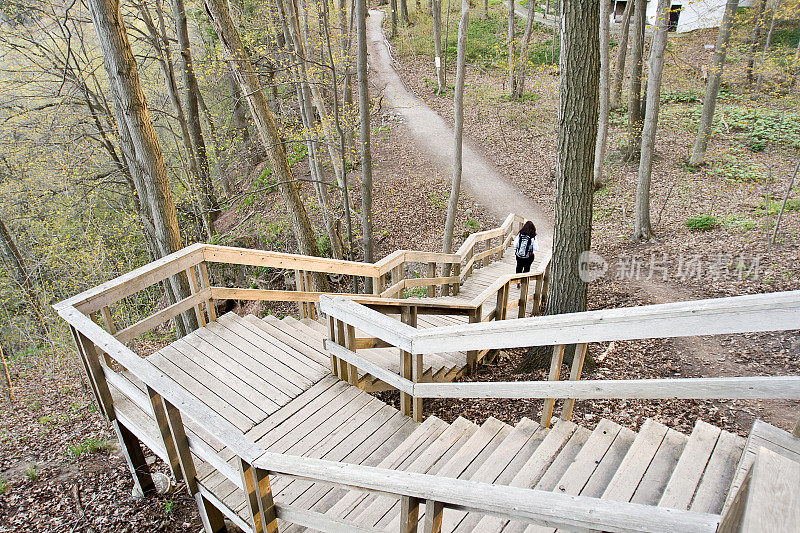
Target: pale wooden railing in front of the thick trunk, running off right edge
{"type": "Point", "coordinates": [740, 314]}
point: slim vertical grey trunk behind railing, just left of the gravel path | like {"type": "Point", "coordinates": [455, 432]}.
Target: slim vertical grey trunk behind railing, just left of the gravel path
{"type": "Point", "coordinates": [364, 133]}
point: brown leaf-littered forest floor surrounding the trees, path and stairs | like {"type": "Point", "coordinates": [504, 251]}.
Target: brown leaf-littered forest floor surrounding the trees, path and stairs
{"type": "Point", "coordinates": [60, 470]}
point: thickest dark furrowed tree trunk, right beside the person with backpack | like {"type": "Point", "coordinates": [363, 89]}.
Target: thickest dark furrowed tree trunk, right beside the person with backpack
{"type": "Point", "coordinates": [578, 104]}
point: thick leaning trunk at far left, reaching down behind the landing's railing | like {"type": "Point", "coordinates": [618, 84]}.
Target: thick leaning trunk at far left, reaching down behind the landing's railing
{"type": "Point", "coordinates": [130, 109]}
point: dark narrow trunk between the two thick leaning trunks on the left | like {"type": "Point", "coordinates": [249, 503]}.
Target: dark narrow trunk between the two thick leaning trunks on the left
{"type": "Point", "coordinates": [191, 92]}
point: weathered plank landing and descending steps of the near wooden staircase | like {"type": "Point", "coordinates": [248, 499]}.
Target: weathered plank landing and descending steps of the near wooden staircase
{"type": "Point", "coordinates": [270, 378]}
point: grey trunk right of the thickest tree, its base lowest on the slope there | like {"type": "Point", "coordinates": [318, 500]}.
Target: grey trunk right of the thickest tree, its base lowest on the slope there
{"type": "Point", "coordinates": [643, 229]}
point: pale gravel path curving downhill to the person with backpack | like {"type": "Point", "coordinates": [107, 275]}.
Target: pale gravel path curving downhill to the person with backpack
{"type": "Point", "coordinates": [434, 137]}
